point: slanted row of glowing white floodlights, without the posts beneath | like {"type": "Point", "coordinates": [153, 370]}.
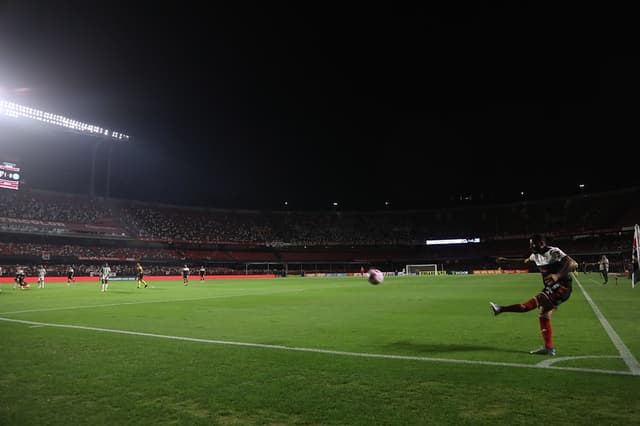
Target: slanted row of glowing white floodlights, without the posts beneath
{"type": "Point", "coordinates": [14, 110]}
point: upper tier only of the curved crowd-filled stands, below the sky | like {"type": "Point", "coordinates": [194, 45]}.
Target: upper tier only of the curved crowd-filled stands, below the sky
{"type": "Point", "coordinates": [155, 222]}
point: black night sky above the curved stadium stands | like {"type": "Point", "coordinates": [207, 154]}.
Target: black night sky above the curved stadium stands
{"type": "Point", "coordinates": [251, 106]}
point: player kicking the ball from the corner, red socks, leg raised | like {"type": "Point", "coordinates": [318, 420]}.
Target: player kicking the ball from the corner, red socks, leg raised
{"type": "Point", "coordinates": [555, 267]}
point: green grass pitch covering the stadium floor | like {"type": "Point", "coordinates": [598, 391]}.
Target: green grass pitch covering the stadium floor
{"type": "Point", "coordinates": [316, 351]}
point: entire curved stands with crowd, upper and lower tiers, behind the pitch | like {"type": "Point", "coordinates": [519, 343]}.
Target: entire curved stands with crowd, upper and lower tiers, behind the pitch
{"type": "Point", "coordinates": [584, 225]}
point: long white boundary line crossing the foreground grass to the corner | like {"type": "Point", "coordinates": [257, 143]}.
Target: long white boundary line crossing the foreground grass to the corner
{"type": "Point", "coordinates": [320, 351]}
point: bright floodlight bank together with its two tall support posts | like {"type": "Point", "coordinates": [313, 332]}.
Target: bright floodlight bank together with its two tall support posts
{"type": "Point", "coordinates": [21, 112]}
